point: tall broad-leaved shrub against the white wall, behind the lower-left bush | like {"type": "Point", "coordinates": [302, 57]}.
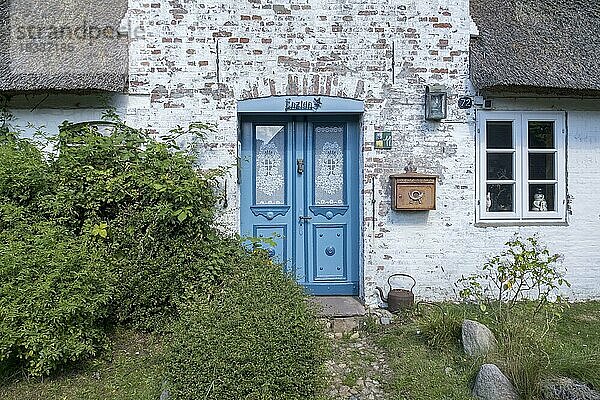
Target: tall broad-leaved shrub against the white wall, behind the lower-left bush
{"type": "Point", "coordinates": [151, 207]}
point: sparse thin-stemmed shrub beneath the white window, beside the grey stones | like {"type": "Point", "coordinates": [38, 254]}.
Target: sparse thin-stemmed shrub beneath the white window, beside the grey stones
{"type": "Point", "coordinates": [518, 293]}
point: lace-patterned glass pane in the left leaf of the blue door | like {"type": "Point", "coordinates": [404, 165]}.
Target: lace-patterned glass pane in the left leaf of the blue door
{"type": "Point", "coordinates": [270, 164]}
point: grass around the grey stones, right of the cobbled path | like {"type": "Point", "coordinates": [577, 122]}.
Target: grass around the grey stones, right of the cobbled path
{"type": "Point", "coordinates": [428, 362]}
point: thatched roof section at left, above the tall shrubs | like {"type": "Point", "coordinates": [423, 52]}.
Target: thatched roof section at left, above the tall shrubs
{"type": "Point", "coordinates": [62, 45]}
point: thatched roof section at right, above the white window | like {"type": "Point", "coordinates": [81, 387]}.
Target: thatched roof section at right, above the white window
{"type": "Point", "coordinates": [536, 44]}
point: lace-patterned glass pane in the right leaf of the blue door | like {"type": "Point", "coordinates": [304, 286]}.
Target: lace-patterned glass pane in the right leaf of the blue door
{"type": "Point", "coordinates": [329, 165]}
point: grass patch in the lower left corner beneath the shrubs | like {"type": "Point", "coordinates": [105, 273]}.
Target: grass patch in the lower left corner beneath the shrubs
{"type": "Point", "coordinates": [132, 371]}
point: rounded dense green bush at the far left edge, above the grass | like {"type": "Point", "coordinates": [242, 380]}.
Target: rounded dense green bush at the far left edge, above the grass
{"type": "Point", "coordinates": [54, 295]}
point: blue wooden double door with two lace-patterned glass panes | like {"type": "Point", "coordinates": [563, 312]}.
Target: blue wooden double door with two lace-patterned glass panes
{"type": "Point", "coordinates": [300, 190]}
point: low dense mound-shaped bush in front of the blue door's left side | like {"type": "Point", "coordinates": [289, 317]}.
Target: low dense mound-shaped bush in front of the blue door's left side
{"type": "Point", "coordinates": [257, 339]}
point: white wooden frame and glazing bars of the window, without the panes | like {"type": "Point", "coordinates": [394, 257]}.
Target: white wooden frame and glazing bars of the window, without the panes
{"type": "Point", "coordinates": [521, 213]}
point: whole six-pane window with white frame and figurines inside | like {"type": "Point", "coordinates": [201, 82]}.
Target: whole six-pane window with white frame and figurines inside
{"type": "Point", "coordinates": [521, 166]}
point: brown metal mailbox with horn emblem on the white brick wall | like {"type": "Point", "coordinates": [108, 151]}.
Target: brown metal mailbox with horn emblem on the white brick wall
{"type": "Point", "coordinates": [413, 191]}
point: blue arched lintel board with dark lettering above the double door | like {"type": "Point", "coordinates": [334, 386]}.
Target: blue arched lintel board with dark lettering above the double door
{"type": "Point", "coordinates": [277, 104]}
